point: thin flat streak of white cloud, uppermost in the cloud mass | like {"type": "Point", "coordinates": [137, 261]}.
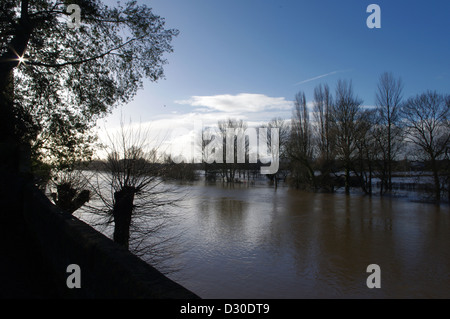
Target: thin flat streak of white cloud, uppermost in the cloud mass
{"type": "Point", "coordinates": [241, 103]}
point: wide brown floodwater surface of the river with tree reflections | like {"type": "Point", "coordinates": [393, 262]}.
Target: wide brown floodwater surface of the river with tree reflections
{"type": "Point", "coordinates": [258, 242]}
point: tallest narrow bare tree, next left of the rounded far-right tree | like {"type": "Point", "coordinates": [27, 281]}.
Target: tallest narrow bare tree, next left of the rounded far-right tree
{"type": "Point", "coordinates": [388, 100]}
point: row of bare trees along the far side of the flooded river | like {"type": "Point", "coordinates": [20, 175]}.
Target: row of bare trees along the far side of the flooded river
{"type": "Point", "coordinates": [335, 142]}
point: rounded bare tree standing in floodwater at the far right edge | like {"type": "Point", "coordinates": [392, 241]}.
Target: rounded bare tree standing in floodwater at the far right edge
{"type": "Point", "coordinates": [428, 129]}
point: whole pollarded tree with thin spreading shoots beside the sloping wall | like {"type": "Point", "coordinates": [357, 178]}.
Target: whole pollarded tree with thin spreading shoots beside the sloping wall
{"type": "Point", "coordinates": [133, 196]}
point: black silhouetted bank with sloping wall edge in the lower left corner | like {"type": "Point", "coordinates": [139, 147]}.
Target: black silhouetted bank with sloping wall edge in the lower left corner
{"type": "Point", "coordinates": [39, 242]}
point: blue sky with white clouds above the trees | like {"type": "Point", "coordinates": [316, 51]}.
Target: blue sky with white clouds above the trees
{"type": "Point", "coordinates": [248, 58]}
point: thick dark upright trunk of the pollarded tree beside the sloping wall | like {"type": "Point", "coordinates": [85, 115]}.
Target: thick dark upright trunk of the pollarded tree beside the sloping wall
{"type": "Point", "coordinates": [122, 212]}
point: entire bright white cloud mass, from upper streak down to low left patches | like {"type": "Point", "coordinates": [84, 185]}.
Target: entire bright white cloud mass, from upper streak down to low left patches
{"type": "Point", "coordinates": [173, 132]}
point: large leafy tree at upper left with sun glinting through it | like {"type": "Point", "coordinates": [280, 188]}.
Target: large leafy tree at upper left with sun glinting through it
{"type": "Point", "coordinates": [56, 81]}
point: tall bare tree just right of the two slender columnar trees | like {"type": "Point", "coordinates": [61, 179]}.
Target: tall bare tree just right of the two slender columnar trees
{"type": "Point", "coordinates": [346, 109]}
